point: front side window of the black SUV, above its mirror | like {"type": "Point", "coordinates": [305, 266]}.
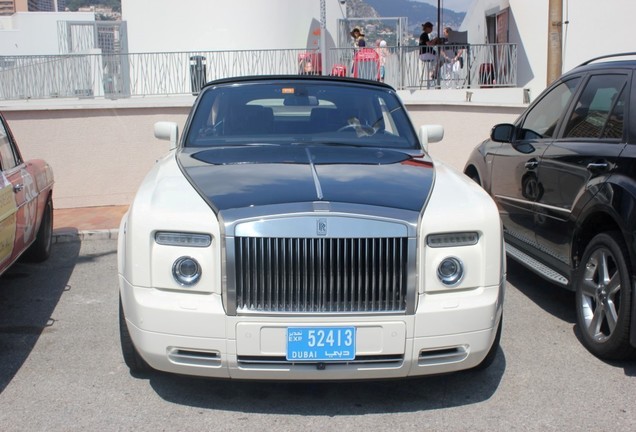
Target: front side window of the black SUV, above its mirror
{"type": "Point", "coordinates": [543, 118]}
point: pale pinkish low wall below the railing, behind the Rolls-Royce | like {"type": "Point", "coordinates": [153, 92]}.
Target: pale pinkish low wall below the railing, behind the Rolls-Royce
{"type": "Point", "coordinates": [104, 130]}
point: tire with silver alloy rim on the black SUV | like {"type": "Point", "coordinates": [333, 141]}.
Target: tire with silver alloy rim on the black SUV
{"type": "Point", "coordinates": [604, 298]}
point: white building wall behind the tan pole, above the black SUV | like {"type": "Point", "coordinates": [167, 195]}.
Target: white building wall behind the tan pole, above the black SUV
{"type": "Point", "coordinates": [595, 28]}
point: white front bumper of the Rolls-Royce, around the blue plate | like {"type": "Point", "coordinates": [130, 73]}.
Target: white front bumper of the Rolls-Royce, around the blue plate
{"type": "Point", "coordinates": [188, 333]}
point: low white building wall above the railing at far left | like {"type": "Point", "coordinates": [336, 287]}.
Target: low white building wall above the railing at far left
{"type": "Point", "coordinates": [35, 33]}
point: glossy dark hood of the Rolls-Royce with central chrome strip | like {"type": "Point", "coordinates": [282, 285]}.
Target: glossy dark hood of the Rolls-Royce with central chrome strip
{"type": "Point", "coordinates": [250, 176]}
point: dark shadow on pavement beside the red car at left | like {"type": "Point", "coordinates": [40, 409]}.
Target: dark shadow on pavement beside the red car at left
{"type": "Point", "coordinates": [29, 294]}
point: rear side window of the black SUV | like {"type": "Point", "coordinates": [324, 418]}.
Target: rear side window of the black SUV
{"type": "Point", "coordinates": [599, 111]}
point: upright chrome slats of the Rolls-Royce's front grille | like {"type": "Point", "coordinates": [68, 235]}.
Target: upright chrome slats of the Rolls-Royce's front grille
{"type": "Point", "coordinates": [321, 275]}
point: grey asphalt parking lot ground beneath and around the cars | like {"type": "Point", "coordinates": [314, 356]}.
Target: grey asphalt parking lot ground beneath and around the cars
{"type": "Point", "coordinates": [61, 370]}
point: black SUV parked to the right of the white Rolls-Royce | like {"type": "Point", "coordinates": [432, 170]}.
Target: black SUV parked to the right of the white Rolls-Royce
{"type": "Point", "coordinates": [564, 179]}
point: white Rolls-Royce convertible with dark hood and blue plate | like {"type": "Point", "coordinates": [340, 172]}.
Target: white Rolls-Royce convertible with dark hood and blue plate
{"type": "Point", "coordinates": [298, 229]}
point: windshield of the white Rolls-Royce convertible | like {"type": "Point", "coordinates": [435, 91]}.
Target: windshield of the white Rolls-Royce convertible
{"type": "Point", "coordinates": [300, 112]}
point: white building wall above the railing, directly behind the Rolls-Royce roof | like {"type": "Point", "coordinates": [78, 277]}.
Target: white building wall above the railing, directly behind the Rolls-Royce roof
{"type": "Point", "coordinates": [206, 25]}
